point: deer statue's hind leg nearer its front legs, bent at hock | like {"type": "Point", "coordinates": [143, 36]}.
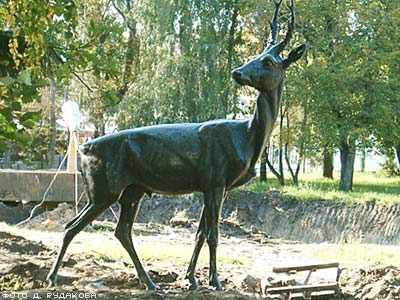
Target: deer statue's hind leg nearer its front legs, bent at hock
{"type": "Point", "coordinates": [130, 204]}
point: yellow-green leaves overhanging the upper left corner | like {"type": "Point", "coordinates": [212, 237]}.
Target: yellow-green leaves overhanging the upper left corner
{"type": "Point", "coordinates": [35, 30]}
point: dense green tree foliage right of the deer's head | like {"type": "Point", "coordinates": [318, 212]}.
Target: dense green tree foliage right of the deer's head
{"type": "Point", "coordinates": [347, 92]}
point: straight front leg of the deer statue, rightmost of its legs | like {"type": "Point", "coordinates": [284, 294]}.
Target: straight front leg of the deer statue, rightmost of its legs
{"type": "Point", "coordinates": [213, 201]}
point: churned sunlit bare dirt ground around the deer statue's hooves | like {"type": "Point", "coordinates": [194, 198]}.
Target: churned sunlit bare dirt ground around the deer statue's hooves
{"type": "Point", "coordinates": [245, 257]}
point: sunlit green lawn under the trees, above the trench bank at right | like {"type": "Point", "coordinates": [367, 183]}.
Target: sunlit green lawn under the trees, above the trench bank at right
{"type": "Point", "coordinates": [366, 187]}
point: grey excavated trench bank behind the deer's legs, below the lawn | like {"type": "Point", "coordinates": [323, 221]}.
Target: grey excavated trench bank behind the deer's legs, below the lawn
{"type": "Point", "coordinates": [308, 221]}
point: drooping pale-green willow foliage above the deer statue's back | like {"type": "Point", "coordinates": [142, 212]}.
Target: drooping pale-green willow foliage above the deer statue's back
{"type": "Point", "coordinates": [185, 74]}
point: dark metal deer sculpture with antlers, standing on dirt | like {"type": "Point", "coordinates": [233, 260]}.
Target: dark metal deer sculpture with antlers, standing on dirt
{"type": "Point", "coordinates": [212, 157]}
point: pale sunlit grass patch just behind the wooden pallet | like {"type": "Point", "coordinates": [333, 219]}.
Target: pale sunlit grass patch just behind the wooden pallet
{"type": "Point", "coordinates": [356, 254]}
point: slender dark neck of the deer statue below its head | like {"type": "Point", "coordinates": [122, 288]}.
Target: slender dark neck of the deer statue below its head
{"type": "Point", "coordinates": [262, 122]}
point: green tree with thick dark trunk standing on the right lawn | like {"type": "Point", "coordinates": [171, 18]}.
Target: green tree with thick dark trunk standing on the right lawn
{"type": "Point", "coordinates": [342, 74]}
